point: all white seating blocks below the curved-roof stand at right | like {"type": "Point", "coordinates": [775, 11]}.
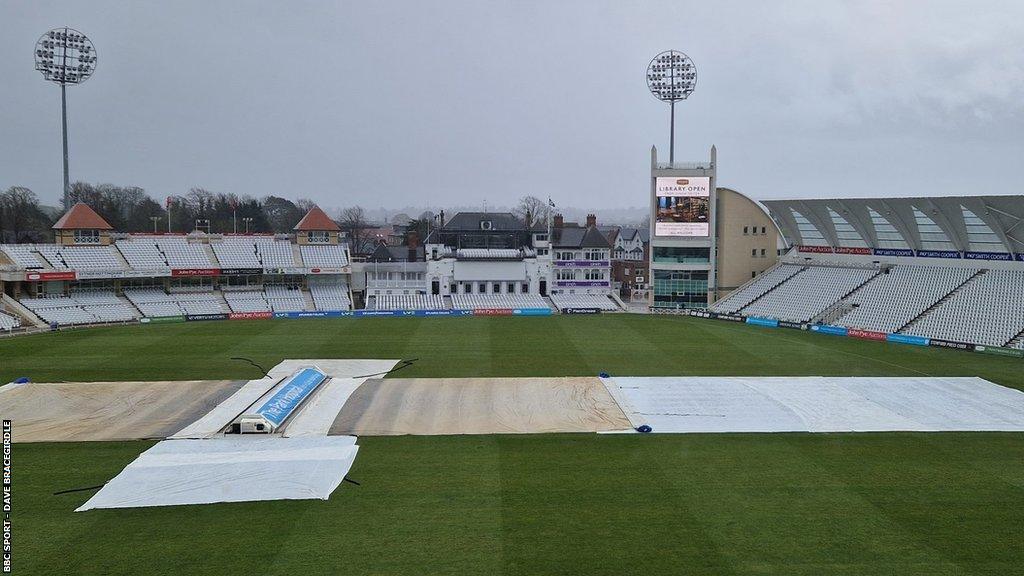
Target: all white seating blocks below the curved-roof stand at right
{"type": "Point", "coordinates": [957, 304]}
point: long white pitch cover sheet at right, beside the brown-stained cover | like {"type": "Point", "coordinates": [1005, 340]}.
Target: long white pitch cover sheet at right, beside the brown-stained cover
{"type": "Point", "coordinates": [819, 404]}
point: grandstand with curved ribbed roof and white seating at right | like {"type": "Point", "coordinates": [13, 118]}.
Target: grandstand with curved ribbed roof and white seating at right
{"type": "Point", "coordinates": [944, 272]}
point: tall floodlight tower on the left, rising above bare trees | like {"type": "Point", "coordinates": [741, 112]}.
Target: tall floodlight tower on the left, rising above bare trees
{"type": "Point", "coordinates": [66, 57]}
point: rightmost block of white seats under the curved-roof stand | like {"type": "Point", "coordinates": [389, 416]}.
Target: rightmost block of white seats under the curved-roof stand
{"type": "Point", "coordinates": [988, 310]}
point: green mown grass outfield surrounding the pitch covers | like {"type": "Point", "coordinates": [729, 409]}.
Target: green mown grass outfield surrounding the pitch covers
{"type": "Point", "coordinates": [794, 504]}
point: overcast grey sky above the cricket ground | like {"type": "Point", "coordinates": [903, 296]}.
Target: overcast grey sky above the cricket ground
{"type": "Point", "coordinates": [397, 104]}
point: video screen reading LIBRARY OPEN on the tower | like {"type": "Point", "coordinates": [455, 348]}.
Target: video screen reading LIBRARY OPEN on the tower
{"type": "Point", "coordinates": [684, 207]}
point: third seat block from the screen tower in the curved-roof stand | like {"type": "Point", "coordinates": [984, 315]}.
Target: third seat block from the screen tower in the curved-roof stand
{"type": "Point", "coordinates": [892, 300]}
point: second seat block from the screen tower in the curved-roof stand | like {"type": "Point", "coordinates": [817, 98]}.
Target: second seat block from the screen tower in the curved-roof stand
{"type": "Point", "coordinates": [806, 295]}
